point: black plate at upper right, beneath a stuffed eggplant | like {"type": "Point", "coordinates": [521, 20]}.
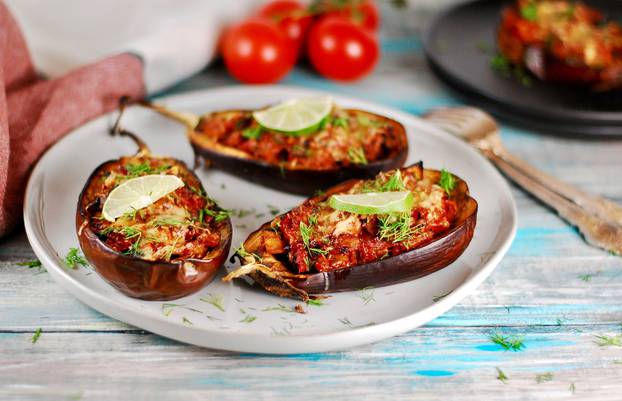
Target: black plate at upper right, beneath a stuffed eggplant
{"type": "Point", "coordinates": [459, 45]}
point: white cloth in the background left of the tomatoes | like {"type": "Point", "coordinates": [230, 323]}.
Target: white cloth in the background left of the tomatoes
{"type": "Point", "coordinates": [174, 38]}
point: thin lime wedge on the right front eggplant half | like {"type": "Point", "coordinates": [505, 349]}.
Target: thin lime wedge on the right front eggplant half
{"type": "Point", "coordinates": [373, 202]}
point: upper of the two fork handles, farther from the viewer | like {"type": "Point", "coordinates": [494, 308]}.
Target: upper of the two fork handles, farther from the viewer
{"type": "Point", "coordinates": [598, 205]}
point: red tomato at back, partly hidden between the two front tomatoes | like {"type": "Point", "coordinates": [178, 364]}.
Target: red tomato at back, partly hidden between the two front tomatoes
{"type": "Point", "coordinates": [291, 17]}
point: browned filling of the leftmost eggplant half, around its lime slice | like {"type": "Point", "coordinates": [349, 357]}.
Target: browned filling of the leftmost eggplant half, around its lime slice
{"type": "Point", "coordinates": [179, 226]}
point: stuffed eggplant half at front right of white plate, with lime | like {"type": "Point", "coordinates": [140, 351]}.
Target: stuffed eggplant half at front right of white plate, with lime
{"type": "Point", "coordinates": [400, 225]}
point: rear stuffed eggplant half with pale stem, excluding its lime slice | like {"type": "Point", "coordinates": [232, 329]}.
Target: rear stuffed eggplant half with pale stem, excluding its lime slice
{"type": "Point", "coordinates": [346, 144]}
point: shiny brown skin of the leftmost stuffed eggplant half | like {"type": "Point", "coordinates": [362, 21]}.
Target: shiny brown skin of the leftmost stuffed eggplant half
{"type": "Point", "coordinates": [148, 280]}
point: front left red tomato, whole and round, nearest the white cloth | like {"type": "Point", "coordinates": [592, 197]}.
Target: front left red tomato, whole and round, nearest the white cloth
{"type": "Point", "coordinates": [256, 51]}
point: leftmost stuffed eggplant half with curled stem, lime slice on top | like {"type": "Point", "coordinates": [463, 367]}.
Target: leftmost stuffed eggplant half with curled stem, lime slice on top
{"type": "Point", "coordinates": [167, 249]}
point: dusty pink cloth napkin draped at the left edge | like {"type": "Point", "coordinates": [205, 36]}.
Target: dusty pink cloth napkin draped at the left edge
{"type": "Point", "coordinates": [34, 113]}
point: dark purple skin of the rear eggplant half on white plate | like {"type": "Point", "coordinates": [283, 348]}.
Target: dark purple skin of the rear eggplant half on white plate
{"type": "Point", "coordinates": [295, 181]}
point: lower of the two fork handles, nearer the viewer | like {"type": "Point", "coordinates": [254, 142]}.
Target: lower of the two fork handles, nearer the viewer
{"type": "Point", "coordinates": [599, 232]}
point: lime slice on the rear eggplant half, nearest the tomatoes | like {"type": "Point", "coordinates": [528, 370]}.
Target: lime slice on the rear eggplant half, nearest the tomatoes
{"type": "Point", "coordinates": [295, 116]}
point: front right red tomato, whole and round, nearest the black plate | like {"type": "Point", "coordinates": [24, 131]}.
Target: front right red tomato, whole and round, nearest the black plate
{"type": "Point", "coordinates": [341, 50]}
